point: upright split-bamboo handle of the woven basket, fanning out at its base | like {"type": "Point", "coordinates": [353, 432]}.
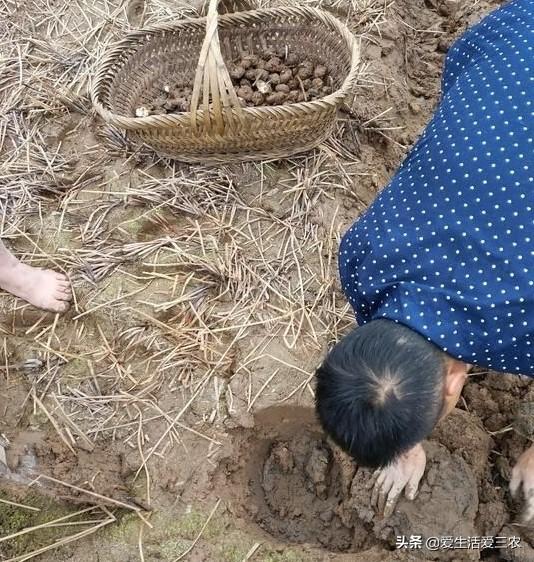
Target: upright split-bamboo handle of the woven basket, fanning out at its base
{"type": "Point", "coordinates": [213, 83]}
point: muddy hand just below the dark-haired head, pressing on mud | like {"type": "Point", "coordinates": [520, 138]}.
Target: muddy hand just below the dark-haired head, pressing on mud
{"type": "Point", "coordinates": [404, 473]}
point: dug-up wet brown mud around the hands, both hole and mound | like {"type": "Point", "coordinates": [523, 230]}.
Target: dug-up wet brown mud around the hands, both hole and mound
{"type": "Point", "coordinates": [289, 480]}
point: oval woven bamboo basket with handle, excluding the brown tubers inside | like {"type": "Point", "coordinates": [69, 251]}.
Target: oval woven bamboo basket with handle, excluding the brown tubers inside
{"type": "Point", "coordinates": [193, 53]}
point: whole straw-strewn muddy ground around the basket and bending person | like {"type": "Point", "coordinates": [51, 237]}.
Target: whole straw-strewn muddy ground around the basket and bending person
{"type": "Point", "coordinates": [178, 389]}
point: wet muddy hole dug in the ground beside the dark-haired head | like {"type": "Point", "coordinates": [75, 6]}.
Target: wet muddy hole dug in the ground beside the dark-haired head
{"type": "Point", "coordinates": [294, 483]}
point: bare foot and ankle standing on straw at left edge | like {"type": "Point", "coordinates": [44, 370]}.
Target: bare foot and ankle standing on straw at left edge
{"type": "Point", "coordinates": [41, 287]}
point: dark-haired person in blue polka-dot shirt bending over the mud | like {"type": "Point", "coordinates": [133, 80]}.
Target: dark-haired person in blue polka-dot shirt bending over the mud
{"type": "Point", "coordinates": [440, 268]}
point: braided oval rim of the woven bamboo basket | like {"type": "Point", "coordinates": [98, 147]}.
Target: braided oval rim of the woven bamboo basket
{"type": "Point", "coordinates": [105, 71]}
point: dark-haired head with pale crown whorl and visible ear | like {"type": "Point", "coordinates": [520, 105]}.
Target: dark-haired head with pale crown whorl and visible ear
{"type": "Point", "coordinates": [382, 389]}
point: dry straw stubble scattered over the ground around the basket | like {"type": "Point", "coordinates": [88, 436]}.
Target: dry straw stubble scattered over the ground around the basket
{"type": "Point", "coordinates": [183, 276]}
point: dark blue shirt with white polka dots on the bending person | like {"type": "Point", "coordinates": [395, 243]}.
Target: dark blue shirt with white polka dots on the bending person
{"type": "Point", "coordinates": [447, 247]}
